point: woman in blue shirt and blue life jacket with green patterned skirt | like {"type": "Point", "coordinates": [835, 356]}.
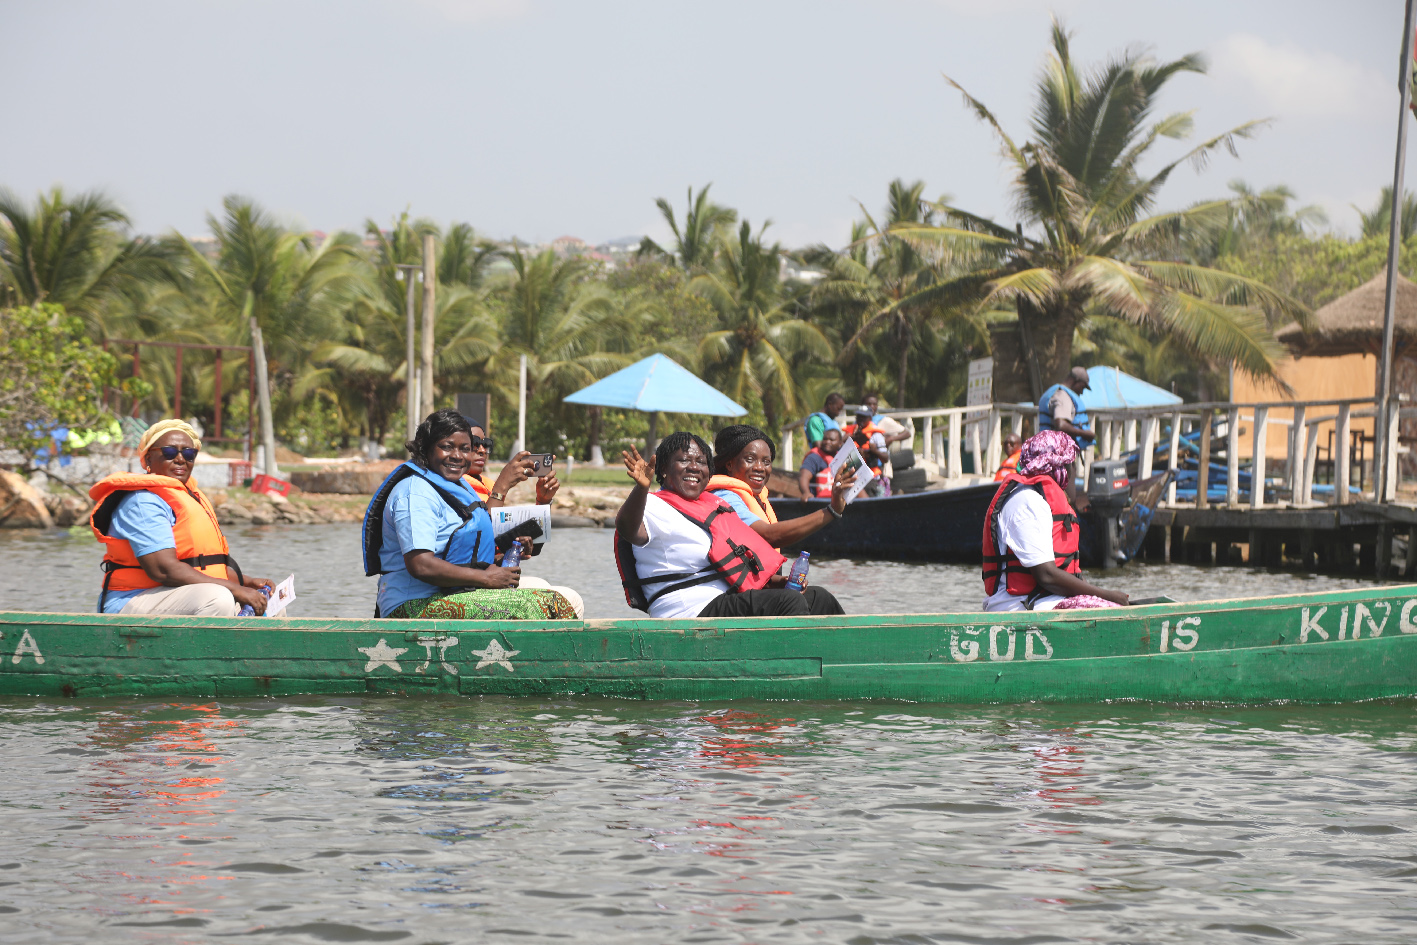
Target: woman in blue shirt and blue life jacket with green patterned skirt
{"type": "Point", "coordinates": [430, 539]}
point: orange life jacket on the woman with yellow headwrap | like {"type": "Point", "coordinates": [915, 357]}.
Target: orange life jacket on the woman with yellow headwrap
{"type": "Point", "coordinates": [196, 532]}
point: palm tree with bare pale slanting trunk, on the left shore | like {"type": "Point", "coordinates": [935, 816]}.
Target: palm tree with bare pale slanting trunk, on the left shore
{"type": "Point", "coordinates": [273, 281]}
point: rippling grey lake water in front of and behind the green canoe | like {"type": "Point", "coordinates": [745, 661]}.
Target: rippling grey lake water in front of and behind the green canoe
{"type": "Point", "coordinates": [389, 820]}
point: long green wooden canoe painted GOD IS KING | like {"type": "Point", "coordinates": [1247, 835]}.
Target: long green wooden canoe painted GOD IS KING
{"type": "Point", "coordinates": [1317, 648]}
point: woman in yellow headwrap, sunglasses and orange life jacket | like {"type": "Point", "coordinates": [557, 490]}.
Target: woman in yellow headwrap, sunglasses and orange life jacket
{"type": "Point", "coordinates": [164, 549]}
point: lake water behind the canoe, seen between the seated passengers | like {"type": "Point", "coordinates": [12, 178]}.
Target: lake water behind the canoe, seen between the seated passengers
{"type": "Point", "coordinates": [55, 572]}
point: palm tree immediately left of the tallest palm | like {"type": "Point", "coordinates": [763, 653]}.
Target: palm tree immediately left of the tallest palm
{"type": "Point", "coordinates": [891, 291]}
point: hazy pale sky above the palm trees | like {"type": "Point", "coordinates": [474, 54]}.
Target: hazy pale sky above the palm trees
{"type": "Point", "coordinates": [541, 118]}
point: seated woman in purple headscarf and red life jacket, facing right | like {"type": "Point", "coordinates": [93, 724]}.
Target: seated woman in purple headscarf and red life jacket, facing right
{"type": "Point", "coordinates": [1031, 536]}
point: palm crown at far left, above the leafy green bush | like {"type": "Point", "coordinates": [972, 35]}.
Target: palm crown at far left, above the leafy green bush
{"type": "Point", "coordinates": [73, 253]}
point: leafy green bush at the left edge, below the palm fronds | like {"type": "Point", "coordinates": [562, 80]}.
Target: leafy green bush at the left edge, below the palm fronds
{"type": "Point", "coordinates": [50, 376]}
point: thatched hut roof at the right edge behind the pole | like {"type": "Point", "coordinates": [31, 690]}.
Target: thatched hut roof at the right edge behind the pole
{"type": "Point", "coordinates": [1354, 324]}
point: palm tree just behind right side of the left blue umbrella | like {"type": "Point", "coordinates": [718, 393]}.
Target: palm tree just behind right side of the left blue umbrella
{"type": "Point", "coordinates": [762, 339]}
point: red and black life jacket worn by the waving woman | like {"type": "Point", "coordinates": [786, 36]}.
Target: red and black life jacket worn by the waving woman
{"type": "Point", "coordinates": [738, 555]}
